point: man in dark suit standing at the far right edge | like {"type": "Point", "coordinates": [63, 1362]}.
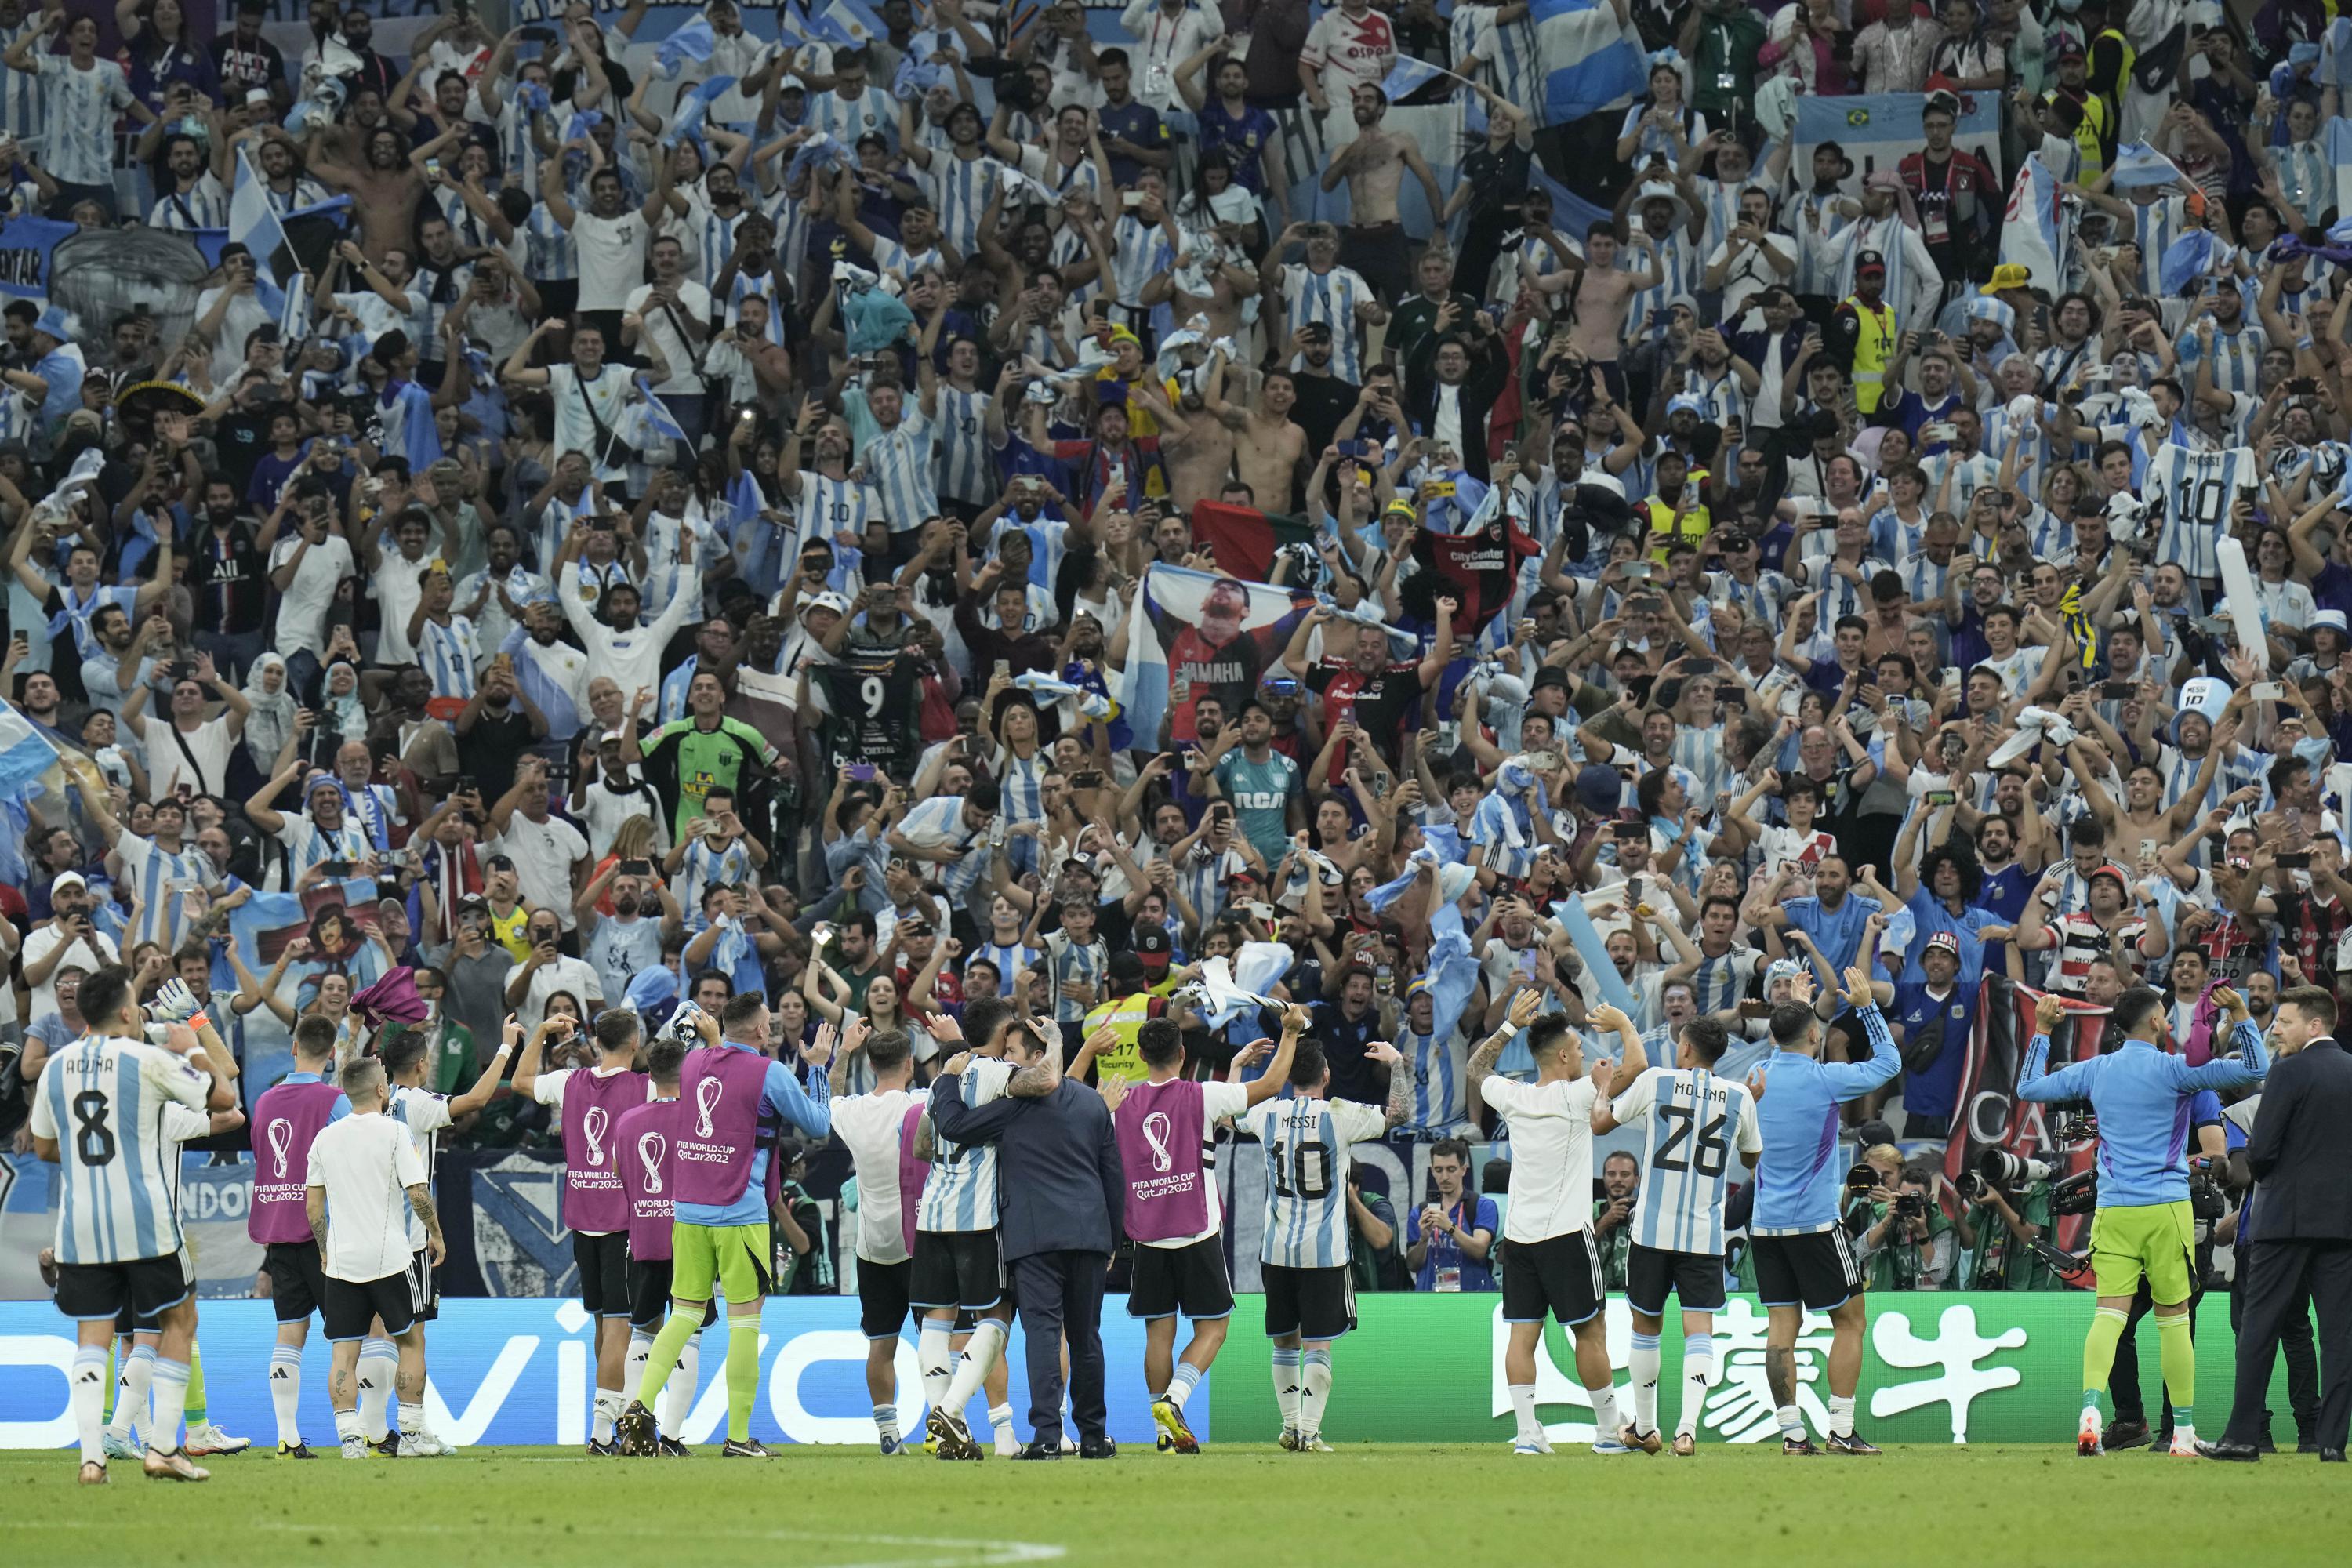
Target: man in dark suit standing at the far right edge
{"type": "Point", "coordinates": [2297, 1228]}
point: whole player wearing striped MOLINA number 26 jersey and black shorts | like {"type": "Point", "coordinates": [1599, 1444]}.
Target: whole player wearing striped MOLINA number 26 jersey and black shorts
{"type": "Point", "coordinates": [1695, 1120]}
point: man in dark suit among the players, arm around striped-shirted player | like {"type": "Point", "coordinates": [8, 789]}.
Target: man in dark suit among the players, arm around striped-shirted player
{"type": "Point", "coordinates": [1062, 1202]}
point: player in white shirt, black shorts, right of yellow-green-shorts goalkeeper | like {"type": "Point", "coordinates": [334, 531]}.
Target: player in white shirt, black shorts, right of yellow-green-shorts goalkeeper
{"type": "Point", "coordinates": [871, 1127]}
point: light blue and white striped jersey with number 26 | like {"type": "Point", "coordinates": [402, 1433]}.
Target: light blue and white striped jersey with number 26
{"type": "Point", "coordinates": [1697, 1120]}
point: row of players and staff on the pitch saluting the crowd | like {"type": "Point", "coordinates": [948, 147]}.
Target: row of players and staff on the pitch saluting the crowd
{"type": "Point", "coordinates": [975, 1202]}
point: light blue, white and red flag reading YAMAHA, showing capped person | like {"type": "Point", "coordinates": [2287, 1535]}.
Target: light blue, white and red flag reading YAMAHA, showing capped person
{"type": "Point", "coordinates": [1194, 636]}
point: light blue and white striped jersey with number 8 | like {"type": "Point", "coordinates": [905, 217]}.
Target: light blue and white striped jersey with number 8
{"type": "Point", "coordinates": [105, 1104]}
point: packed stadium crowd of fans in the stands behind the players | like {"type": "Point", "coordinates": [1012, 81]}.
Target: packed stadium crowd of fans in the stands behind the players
{"type": "Point", "coordinates": [700, 535]}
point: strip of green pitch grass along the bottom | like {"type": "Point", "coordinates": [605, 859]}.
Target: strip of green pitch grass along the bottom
{"type": "Point", "coordinates": [1394, 1503]}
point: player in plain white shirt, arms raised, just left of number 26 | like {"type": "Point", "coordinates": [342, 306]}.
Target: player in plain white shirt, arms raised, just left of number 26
{"type": "Point", "coordinates": [1556, 1264]}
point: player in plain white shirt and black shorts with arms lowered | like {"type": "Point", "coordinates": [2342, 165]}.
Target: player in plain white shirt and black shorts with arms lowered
{"type": "Point", "coordinates": [363, 1186]}
